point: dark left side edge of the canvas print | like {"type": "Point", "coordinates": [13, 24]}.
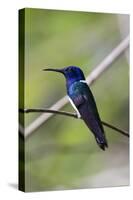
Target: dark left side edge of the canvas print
{"type": "Point", "coordinates": [21, 179]}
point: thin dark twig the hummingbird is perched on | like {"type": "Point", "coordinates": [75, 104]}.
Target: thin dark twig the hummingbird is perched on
{"type": "Point", "coordinates": [74, 115]}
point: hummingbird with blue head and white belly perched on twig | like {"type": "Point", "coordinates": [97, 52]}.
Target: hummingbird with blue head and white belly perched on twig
{"type": "Point", "coordinates": [82, 100]}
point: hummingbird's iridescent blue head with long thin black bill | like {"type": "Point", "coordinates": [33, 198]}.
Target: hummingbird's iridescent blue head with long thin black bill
{"type": "Point", "coordinates": [71, 73]}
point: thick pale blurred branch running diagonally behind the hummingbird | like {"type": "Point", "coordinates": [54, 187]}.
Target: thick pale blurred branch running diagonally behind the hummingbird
{"type": "Point", "coordinates": [97, 72]}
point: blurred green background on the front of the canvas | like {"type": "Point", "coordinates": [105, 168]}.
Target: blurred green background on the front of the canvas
{"type": "Point", "coordinates": [62, 153]}
